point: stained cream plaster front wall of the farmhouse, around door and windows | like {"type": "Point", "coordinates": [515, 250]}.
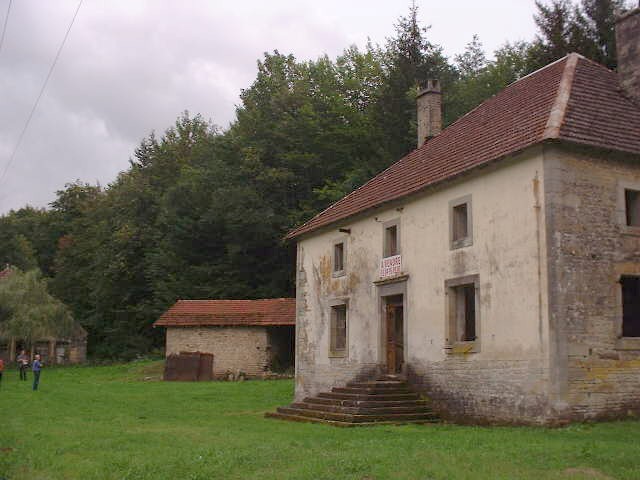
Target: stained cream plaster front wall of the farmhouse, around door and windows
{"type": "Point", "coordinates": [507, 380]}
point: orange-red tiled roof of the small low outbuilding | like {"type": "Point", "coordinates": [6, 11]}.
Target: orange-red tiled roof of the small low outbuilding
{"type": "Point", "coordinates": [191, 313]}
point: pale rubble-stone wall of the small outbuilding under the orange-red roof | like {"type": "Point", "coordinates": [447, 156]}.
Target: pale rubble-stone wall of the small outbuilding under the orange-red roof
{"type": "Point", "coordinates": [233, 348]}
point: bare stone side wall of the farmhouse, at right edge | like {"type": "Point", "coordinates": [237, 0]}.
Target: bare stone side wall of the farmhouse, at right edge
{"type": "Point", "coordinates": [598, 374]}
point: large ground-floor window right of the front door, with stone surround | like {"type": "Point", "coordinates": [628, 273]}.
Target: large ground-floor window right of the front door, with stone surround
{"type": "Point", "coordinates": [462, 314]}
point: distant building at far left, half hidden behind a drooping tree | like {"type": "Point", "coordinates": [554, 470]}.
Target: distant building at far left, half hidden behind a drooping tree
{"type": "Point", "coordinates": [68, 350]}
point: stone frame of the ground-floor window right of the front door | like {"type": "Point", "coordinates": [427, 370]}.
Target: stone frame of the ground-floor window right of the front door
{"type": "Point", "coordinates": [451, 328]}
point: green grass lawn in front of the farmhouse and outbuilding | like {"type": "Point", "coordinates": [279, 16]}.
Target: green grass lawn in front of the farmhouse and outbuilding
{"type": "Point", "coordinates": [109, 423]}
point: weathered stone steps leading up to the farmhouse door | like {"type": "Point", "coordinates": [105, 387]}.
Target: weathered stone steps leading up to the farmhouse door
{"type": "Point", "coordinates": [386, 401]}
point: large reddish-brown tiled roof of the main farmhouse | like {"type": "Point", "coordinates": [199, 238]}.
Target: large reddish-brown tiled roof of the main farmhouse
{"type": "Point", "coordinates": [572, 100]}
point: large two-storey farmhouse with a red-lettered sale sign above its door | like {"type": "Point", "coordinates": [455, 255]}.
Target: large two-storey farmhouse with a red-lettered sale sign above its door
{"type": "Point", "coordinates": [496, 268]}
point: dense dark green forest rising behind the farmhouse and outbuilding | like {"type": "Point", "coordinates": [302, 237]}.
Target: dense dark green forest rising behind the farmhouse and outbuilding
{"type": "Point", "coordinates": [202, 212]}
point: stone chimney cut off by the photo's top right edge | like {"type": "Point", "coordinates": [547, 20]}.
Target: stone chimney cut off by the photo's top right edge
{"type": "Point", "coordinates": [628, 51]}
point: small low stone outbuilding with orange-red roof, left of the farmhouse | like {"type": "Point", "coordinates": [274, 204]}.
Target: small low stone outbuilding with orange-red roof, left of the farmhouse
{"type": "Point", "coordinates": [253, 338]}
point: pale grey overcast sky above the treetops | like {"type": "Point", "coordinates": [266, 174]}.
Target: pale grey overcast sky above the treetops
{"type": "Point", "coordinates": [130, 67]}
